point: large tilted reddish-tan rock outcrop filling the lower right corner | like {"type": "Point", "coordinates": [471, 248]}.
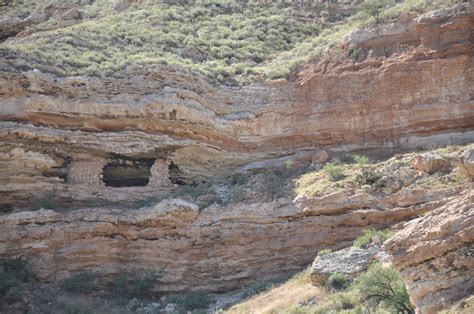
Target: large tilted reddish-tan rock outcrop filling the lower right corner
{"type": "Point", "coordinates": [435, 254]}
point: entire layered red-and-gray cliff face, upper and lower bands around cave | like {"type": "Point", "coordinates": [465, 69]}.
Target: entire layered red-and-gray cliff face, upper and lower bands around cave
{"type": "Point", "coordinates": [92, 148]}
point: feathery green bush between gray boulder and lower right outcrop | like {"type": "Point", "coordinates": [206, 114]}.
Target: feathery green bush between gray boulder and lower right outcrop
{"type": "Point", "coordinates": [383, 287]}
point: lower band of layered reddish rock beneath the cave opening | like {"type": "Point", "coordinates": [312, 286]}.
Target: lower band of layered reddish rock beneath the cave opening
{"type": "Point", "coordinates": [219, 248]}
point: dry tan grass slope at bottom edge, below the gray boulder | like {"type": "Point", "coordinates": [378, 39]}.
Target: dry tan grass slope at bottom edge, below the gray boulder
{"type": "Point", "coordinates": [282, 298]}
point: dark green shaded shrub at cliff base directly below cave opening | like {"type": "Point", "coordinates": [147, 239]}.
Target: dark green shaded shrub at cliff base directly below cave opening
{"type": "Point", "coordinates": [132, 284]}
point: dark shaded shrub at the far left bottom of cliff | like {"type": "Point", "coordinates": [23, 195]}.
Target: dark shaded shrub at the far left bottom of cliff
{"type": "Point", "coordinates": [13, 274]}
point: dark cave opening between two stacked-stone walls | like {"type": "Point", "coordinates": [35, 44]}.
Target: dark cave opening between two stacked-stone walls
{"type": "Point", "coordinates": [127, 172]}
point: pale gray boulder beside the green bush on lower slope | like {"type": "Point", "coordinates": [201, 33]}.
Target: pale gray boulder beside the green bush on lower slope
{"type": "Point", "coordinates": [349, 261]}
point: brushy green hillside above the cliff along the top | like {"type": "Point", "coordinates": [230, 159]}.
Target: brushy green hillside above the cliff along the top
{"type": "Point", "coordinates": [225, 42]}
